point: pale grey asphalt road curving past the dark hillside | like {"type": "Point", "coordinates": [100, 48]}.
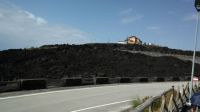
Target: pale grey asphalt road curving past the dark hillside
{"type": "Point", "coordinates": [93, 99]}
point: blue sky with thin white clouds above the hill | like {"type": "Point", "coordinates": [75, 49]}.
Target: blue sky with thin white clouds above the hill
{"type": "Point", "coordinates": [33, 23]}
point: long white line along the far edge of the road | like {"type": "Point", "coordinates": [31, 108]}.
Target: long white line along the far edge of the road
{"type": "Point", "coordinates": [59, 91]}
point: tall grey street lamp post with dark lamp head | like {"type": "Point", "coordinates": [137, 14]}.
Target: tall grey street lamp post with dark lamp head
{"type": "Point", "coordinates": [197, 6]}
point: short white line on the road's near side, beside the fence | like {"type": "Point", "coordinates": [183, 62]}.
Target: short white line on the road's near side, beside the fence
{"type": "Point", "coordinates": [101, 105]}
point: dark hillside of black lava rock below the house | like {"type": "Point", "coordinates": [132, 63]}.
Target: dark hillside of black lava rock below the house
{"type": "Point", "coordinates": [58, 61]}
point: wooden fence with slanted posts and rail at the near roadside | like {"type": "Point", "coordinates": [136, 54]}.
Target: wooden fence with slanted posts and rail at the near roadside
{"type": "Point", "coordinates": [174, 103]}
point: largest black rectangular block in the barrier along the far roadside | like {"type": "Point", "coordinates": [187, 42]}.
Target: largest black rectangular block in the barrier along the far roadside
{"type": "Point", "coordinates": [31, 84]}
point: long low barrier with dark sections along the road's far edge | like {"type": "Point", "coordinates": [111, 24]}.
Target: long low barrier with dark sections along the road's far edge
{"type": "Point", "coordinates": [24, 84]}
